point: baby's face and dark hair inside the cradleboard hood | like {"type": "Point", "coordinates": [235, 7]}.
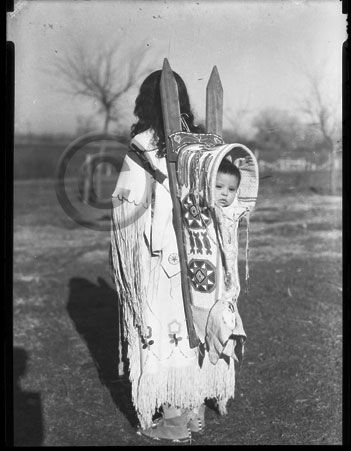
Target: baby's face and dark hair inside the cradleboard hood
{"type": "Point", "coordinates": [227, 183]}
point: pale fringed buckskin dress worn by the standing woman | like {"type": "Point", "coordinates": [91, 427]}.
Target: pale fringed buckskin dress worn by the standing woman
{"type": "Point", "coordinates": [163, 369]}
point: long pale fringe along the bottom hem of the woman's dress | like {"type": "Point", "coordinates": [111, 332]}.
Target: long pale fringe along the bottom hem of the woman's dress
{"type": "Point", "coordinates": [175, 385]}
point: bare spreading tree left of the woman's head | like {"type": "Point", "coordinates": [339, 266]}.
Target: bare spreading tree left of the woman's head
{"type": "Point", "coordinates": [104, 76]}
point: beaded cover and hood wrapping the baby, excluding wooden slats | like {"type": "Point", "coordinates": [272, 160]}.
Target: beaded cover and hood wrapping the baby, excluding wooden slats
{"type": "Point", "coordinates": [211, 237]}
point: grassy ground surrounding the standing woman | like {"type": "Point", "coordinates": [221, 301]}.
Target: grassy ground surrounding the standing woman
{"type": "Point", "coordinates": [65, 329]}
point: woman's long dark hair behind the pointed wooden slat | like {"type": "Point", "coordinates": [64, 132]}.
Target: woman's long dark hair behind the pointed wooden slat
{"type": "Point", "coordinates": [148, 109]}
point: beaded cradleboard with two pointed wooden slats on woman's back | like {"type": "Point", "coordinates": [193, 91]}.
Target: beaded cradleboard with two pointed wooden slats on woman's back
{"type": "Point", "coordinates": [206, 235]}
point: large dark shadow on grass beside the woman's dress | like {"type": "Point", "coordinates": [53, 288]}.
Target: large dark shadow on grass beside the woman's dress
{"type": "Point", "coordinates": [93, 309]}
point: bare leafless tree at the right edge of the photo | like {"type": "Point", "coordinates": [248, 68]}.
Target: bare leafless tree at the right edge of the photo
{"type": "Point", "coordinates": [321, 112]}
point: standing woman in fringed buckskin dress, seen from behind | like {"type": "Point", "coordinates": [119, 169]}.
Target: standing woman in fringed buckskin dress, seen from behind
{"type": "Point", "coordinates": [164, 371]}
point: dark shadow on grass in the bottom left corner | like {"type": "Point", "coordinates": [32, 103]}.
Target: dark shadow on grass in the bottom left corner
{"type": "Point", "coordinates": [27, 412]}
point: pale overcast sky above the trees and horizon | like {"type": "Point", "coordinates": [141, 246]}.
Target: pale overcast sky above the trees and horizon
{"type": "Point", "coordinates": [259, 47]}
